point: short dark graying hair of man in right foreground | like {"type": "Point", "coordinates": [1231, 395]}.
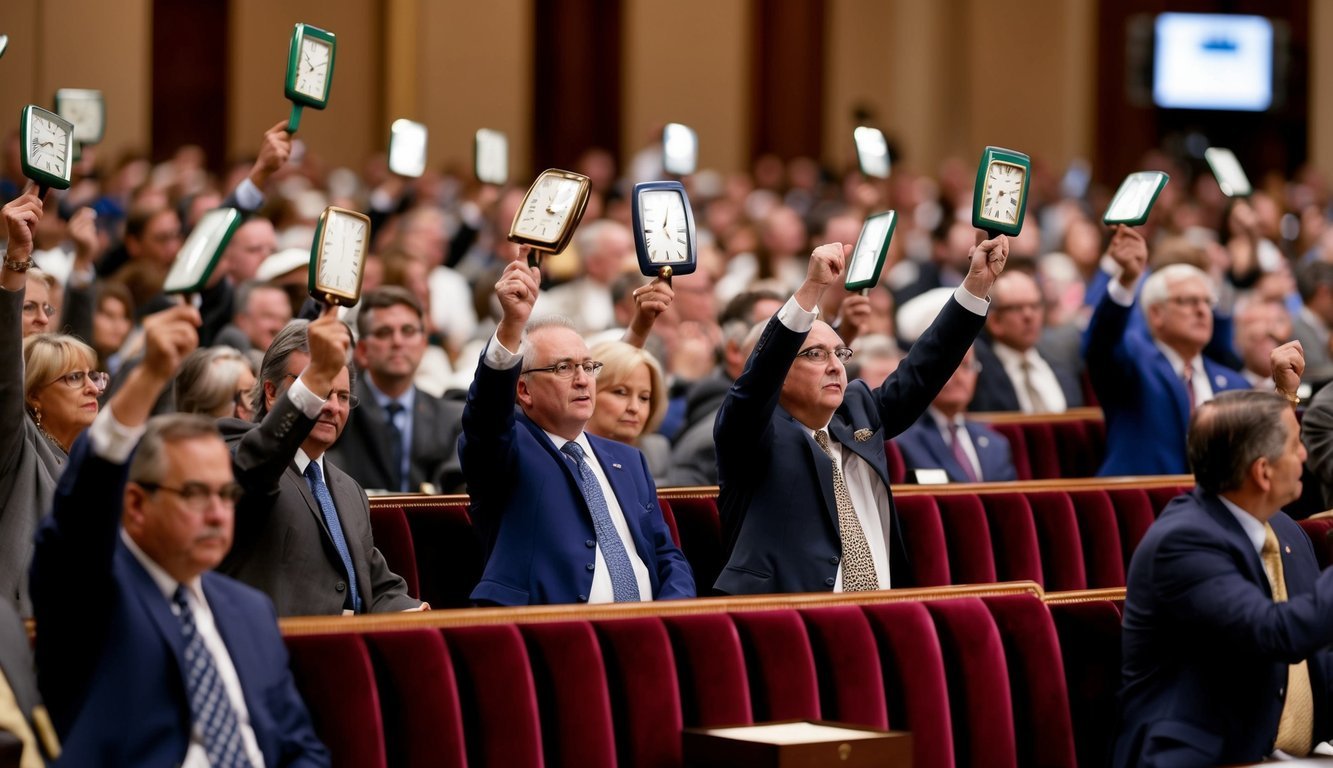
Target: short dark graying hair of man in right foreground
{"type": "Point", "coordinates": [1232, 431]}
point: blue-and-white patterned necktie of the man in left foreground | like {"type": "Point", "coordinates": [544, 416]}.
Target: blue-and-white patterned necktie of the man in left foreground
{"type": "Point", "coordinates": [215, 719]}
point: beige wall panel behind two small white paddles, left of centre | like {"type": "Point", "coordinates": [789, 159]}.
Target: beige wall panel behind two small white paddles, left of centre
{"type": "Point", "coordinates": [475, 71]}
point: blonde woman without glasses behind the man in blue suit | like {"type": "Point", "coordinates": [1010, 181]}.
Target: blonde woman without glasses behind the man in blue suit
{"type": "Point", "coordinates": [633, 403]}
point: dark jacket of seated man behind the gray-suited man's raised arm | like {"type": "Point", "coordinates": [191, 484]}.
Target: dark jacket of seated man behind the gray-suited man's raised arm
{"type": "Point", "coordinates": [366, 453]}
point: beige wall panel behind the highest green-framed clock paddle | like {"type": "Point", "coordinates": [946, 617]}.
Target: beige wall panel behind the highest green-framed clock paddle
{"type": "Point", "coordinates": [354, 123]}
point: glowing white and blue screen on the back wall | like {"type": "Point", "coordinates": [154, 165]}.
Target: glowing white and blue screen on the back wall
{"type": "Point", "coordinates": [1214, 62]}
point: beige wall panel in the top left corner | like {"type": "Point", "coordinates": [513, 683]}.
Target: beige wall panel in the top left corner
{"type": "Point", "coordinates": [81, 45]}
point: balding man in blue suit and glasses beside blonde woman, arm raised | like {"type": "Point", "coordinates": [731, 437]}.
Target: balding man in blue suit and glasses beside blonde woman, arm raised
{"type": "Point", "coordinates": [566, 517]}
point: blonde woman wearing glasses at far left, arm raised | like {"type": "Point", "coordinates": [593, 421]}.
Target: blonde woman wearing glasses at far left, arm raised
{"type": "Point", "coordinates": [49, 397]}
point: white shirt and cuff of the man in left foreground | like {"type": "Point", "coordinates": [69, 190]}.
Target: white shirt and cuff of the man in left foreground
{"type": "Point", "coordinates": [114, 442]}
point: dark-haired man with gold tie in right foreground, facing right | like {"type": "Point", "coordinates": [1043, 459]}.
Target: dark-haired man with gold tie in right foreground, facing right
{"type": "Point", "coordinates": [1227, 625]}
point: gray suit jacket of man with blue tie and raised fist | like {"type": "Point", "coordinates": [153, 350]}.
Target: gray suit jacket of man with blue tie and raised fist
{"type": "Point", "coordinates": [282, 545]}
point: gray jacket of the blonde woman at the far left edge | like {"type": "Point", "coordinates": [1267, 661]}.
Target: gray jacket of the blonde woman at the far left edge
{"type": "Point", "coordinates": [30, 463]}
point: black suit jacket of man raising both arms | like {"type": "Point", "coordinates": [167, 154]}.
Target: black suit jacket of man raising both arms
{"type": "Point", "coordinates": [776, 497]}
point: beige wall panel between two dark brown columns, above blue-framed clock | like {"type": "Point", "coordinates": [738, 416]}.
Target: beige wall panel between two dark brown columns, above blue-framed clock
{"type": "Point", "coordinates": [688, 62]}
